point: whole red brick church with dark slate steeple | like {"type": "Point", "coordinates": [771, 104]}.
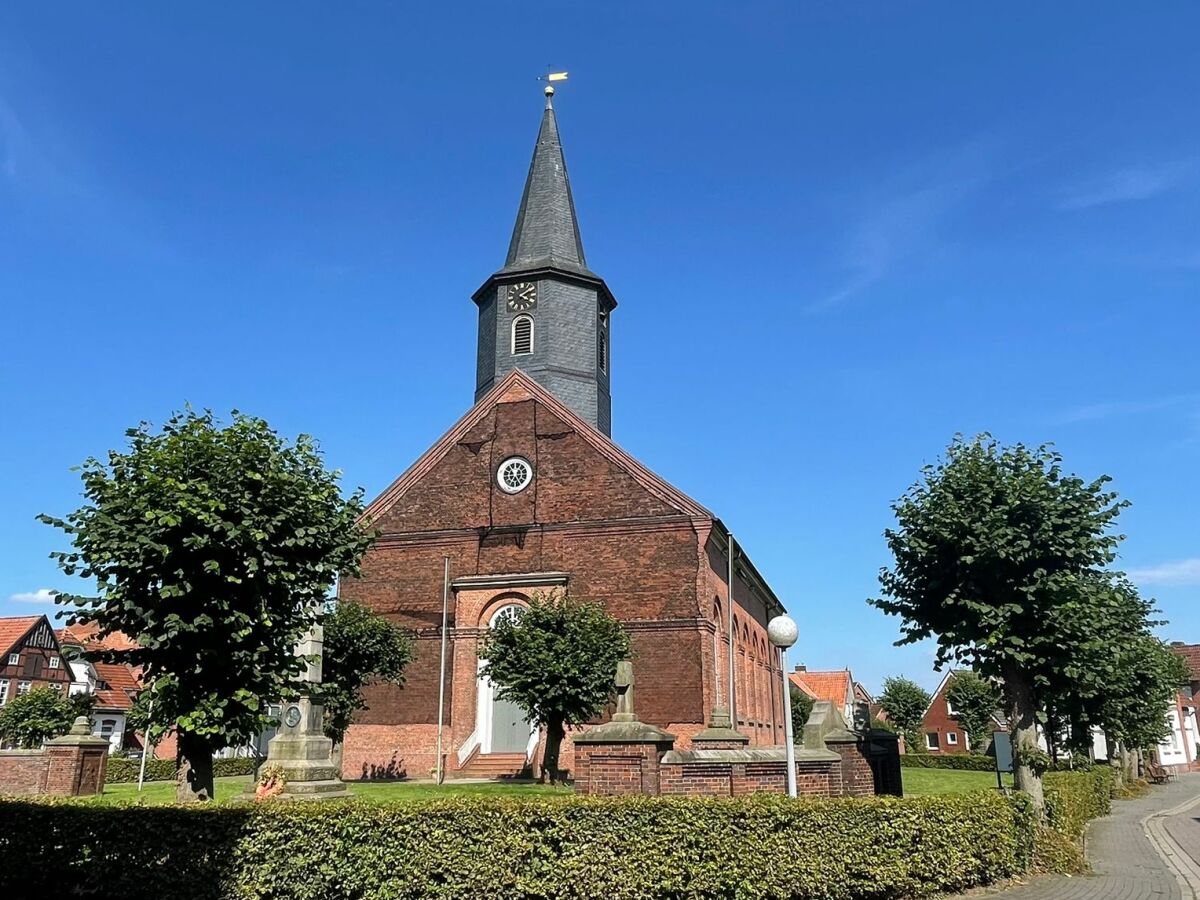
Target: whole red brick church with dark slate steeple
{"type": "Point", "coordinates": [529, 494]}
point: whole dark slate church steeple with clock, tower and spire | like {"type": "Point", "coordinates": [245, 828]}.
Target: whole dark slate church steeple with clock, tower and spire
{"type": "Point", "coordinates": [545, 313]}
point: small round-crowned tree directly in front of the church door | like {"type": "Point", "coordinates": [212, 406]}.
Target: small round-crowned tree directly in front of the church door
{"type": "Point", "coordinates": [557, 662]}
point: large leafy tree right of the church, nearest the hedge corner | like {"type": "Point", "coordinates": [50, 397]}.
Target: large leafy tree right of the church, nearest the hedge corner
{"type": "Point", "coordinates": [997, 555]}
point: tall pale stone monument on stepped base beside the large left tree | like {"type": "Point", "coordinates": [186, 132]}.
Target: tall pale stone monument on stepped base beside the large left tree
{"type": "Point", "coordinates": [301, 752]}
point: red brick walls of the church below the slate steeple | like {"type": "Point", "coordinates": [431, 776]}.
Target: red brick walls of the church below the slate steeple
{"type": "Point", "coordinates": [620, 544]}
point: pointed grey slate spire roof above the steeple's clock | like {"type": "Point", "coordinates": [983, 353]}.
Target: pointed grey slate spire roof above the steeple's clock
{"type": "Point", "coordinates": [547, 232]}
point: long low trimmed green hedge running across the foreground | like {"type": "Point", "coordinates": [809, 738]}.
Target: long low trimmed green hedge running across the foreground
{"type": "Point", "coordinates": [764, 847]}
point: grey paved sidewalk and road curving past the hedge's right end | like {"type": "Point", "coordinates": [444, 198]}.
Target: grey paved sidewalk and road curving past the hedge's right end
{"type": "Point", "coordinates": [1130, 863]}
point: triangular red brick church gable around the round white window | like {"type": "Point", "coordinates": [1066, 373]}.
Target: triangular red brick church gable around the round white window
{"type": "Point", "coordinates": [579, 476]}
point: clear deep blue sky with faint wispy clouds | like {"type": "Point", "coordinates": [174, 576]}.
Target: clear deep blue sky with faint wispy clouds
{"type": "Point", "coordinates": [839, 236]}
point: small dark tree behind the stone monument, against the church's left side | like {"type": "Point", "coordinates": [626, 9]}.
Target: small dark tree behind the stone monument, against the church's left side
{"type": "Point", "coordinates": [361, 647]}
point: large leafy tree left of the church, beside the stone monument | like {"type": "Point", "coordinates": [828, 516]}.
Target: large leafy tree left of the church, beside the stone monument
{"type": "Point", "coordinates": [214, 548]}
